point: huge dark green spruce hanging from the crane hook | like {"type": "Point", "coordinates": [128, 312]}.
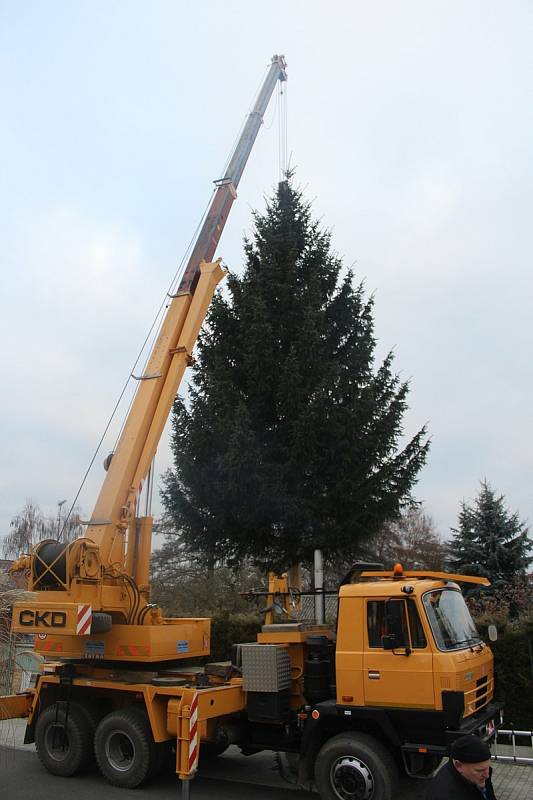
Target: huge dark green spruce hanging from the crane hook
{"type": "Point", "coordinates": [291, 438]}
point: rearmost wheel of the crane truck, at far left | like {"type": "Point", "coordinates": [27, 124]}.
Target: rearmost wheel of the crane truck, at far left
{"type": "Point", "coordinates": [63, 751]}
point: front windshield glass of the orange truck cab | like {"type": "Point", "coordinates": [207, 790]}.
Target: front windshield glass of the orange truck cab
{"type": "Point", "coordinates": [450, 619]}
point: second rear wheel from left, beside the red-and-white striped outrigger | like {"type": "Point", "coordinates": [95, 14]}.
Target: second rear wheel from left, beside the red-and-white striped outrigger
{"type": "Point", "coordinates": [124, 747]}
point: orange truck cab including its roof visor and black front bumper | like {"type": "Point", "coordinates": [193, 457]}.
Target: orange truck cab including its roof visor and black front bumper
{"type": "Point", "coordinates": [410, 665]}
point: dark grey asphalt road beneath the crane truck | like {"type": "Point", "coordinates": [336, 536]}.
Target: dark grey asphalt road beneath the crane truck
{"type": "Point", "coordinates": [230, 777]}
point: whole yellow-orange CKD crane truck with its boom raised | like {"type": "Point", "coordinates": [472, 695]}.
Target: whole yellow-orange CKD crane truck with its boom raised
{"type": "Point", "coordinates": [400, 677]}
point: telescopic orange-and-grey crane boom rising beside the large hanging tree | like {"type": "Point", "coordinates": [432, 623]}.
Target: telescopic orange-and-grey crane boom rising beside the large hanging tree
{"type": "Point", "coordinates": [115, 507]}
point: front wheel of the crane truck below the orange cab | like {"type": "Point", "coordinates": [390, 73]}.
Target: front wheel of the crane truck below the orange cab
{"type": "Point", "coordinates": [354, 766]}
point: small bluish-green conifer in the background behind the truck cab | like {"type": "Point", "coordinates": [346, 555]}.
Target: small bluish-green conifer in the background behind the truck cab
{"type": "Point", "coordinates": [490, 541]}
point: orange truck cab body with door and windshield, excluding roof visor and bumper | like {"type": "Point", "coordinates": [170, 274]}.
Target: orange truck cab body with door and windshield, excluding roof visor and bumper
{"type": "Point", "coordinates": [409, 643]}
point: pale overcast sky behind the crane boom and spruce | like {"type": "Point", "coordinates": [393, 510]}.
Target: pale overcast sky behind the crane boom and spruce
{"type": "Point", "coordinates": [410, 125]}
